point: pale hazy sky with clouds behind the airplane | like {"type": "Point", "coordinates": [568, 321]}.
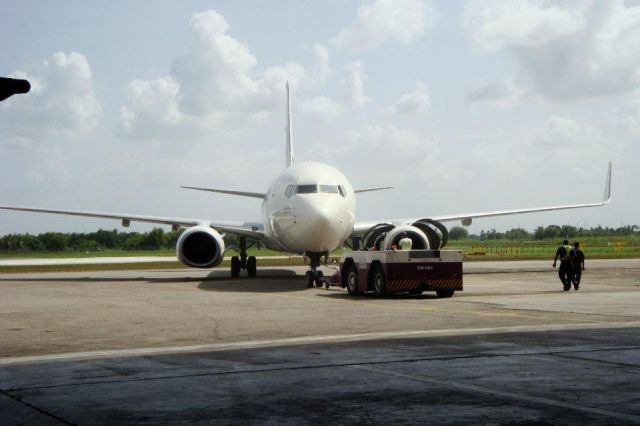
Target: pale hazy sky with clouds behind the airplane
{"type": "Point", "coordinates": [462, 106]}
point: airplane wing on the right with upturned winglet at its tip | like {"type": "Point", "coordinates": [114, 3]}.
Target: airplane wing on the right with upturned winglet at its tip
{"type": "Point", "coordinates": [466, 218]}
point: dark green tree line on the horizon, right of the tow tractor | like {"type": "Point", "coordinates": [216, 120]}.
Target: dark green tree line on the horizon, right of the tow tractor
{"type": "Point", "coordinates": [543, 233]}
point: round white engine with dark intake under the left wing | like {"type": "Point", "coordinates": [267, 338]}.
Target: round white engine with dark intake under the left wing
{"type": "Point", "coordinates": [200, 247]}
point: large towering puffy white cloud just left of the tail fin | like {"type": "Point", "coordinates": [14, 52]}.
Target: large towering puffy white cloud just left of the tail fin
{"type": "Point", "coordinates": [217, 79]}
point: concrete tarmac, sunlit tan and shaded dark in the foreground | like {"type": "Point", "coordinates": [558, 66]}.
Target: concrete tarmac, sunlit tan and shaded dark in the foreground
{"type": "Point", "coordinates": [188, 346]}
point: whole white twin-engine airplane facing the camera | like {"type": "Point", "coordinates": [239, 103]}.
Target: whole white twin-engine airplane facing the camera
{"type": "Point", "coordinates": [308, 209]}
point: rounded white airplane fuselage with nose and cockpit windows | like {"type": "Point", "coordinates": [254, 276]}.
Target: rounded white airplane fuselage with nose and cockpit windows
{"type": "Point", "coordinates": [309, 208]}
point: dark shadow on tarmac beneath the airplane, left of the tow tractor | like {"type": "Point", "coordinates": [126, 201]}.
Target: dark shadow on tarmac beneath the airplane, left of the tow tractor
{"type": "Point", "coordinates": [267, 281]}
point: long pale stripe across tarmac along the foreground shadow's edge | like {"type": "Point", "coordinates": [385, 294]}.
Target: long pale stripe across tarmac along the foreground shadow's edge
{"type": "Point", "coordinates": [308, 340]}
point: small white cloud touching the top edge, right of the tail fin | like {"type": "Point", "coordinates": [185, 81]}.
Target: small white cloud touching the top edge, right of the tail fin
{"type": "Point", "coordinates": [382, 21]}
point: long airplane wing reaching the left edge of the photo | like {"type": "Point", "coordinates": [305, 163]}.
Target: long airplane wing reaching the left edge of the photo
{"type": "Point", "coordinates": [248, 229]}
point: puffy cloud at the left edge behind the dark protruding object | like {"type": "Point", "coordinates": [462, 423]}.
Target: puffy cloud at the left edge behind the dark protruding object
{"type": "Point", "coordinates": [62, 101]}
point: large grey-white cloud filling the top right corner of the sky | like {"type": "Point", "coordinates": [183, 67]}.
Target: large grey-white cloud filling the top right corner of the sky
{"type": "Point", "coordinates": [564, 51]}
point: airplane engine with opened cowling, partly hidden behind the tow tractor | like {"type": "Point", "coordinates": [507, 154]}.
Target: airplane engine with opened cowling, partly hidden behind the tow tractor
{"type": "Point", "coordinates": [426, 234]}
